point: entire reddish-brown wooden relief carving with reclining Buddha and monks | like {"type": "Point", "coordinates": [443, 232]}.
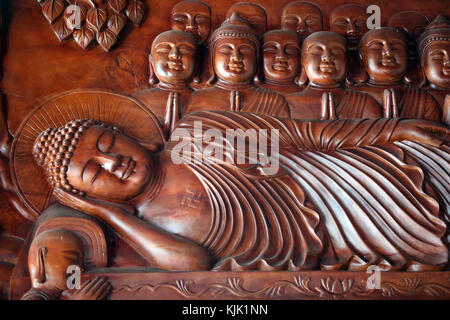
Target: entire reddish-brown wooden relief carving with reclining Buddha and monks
{"type": "Point", "coordinates": [349, 174]}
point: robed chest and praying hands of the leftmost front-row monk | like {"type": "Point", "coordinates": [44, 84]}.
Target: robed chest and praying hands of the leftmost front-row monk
{"type": "Point", "coordinates": [168, 112]}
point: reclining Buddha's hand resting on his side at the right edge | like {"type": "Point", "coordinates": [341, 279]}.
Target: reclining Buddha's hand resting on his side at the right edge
{"type": "Point", "coordinates": [421, 131]}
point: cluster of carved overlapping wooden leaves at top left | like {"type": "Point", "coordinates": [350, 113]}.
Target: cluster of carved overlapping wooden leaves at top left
{"type": "Point", "coordinates": [90, 21]}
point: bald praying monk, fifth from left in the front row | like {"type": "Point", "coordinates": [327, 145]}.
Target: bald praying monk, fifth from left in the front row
{"type": "Point", "coordinates": [384, 55]}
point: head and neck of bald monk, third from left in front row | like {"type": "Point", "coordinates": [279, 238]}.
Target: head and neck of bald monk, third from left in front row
{"type": "Point", "coordinates": [281, 61]}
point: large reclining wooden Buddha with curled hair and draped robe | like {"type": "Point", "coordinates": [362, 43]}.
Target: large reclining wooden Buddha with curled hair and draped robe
{"type": "Point", "coordinates": [341, 198]}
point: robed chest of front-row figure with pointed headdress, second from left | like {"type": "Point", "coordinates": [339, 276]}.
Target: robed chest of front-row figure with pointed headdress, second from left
{"type": "Point", "coordinates": [248, 98]}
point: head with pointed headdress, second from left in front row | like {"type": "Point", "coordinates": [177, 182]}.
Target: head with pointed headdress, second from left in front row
{"type": "Point", "coordinates": [234, 51]}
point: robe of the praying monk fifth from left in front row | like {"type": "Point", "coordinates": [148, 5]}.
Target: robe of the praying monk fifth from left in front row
{"type": "Point", "coordinates": [412, 102]}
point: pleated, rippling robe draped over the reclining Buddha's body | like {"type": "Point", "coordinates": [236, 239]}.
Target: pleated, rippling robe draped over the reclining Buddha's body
{"type": "Point", "coordinates": [339, 200]}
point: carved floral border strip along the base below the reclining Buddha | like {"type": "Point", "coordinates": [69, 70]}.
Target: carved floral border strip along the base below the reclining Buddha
{"type": "Point", "coordinates": [325, 288]}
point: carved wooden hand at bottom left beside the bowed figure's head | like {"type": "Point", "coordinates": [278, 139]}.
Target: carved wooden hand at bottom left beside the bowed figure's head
{"type": "Point", "coordinates": [93, 289]}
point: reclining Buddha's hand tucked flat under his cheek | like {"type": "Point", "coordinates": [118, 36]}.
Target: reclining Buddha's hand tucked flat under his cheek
{"type": "Point", "coordinates": [94, 207]}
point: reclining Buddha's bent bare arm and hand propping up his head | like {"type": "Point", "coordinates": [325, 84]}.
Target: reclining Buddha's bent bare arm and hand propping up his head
{"type": "Point", "coordinates": [160, 248]}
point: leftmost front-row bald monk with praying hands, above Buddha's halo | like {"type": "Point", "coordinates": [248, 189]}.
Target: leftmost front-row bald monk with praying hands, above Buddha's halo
{"type": "Point", "coordinates": [172, 66]}
